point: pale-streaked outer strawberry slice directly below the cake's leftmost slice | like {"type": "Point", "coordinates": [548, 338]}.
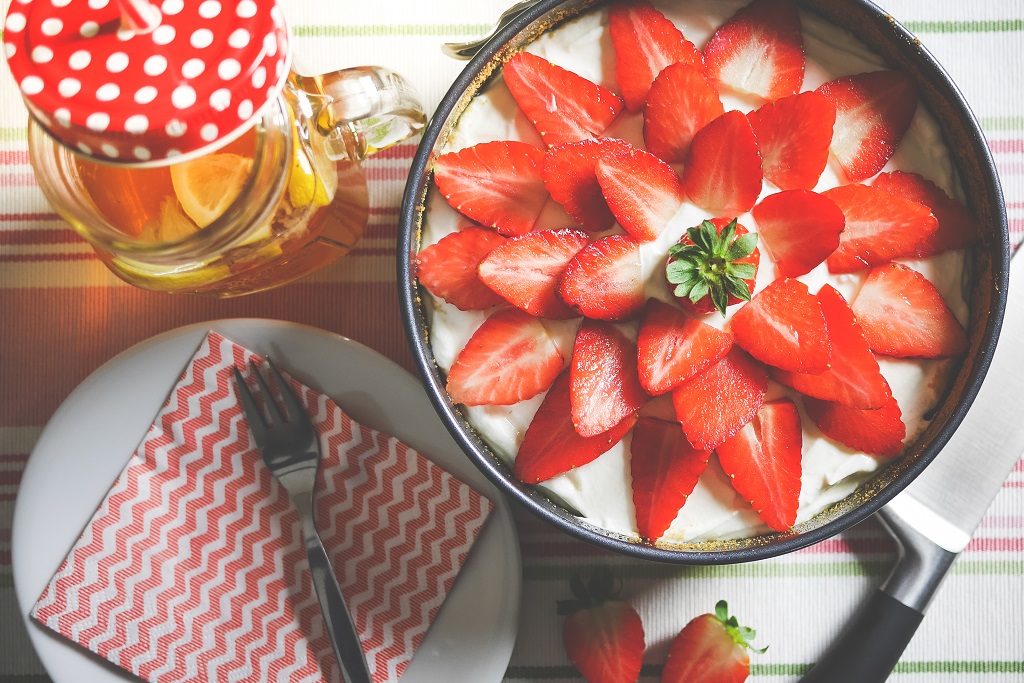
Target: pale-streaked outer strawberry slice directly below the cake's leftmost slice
{"type": "Point", "coordinates": [509, 359]}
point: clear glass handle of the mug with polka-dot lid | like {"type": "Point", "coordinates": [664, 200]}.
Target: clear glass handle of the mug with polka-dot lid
{"type": "Point", "coordinates": [363, 110]}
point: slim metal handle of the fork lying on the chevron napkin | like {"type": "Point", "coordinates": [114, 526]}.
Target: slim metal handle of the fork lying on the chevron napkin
{"type": "Point", "coordinates": [340, 628]}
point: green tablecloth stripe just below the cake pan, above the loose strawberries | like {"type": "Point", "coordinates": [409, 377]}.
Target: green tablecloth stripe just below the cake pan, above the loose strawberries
{"type": "Point", "coordinates": [764, 571]}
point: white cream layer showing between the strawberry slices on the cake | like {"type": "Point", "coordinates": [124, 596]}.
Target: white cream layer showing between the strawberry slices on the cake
{"type": "Point", "coordinates": [601, 491]}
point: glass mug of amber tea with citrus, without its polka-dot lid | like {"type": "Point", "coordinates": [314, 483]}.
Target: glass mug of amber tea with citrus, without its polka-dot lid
{"type": "Point", "coordinates": [281, 200]}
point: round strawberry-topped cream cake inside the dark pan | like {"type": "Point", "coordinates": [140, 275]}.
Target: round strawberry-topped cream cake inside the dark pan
{"type": "Point", "coordinates": [697, 269]}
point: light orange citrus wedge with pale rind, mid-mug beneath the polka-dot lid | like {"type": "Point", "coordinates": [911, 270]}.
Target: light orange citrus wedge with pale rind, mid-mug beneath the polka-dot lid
{"type": "Point", "coordinates": [206, 187]}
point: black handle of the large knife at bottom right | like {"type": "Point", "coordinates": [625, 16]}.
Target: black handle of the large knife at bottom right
{"type": "Point", "coordinates": [872, 645]}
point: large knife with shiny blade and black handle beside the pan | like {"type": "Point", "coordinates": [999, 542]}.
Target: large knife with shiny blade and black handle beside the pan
{"type": "Point", "coordinates": [934, 518]}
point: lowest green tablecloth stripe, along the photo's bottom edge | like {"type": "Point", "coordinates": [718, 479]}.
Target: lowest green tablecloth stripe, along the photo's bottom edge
{"type": "Point", "coordinates": [654, 671]}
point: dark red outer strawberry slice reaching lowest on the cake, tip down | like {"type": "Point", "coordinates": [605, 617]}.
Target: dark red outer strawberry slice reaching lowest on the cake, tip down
{"type": "Point", "coordinates": [665, 468]}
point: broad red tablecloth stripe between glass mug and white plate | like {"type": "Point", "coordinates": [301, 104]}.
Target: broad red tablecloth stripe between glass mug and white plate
{"type": "Point", "coordinates": [99, 323]}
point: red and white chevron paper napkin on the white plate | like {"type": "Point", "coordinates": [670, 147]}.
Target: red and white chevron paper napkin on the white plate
{"type": "Point", "coordinates": [193, 568]}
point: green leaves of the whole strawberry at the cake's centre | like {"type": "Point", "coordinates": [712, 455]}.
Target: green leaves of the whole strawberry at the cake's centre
{"type": "Point", "coordinates": [709, 267]}
